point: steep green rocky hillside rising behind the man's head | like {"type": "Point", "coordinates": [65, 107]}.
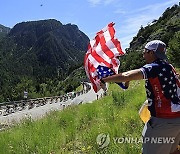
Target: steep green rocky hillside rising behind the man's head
{"type": "Point", "coordinates": [166, 28]}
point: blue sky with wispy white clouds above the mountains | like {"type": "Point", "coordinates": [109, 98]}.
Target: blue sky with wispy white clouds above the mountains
{"type": "Point", "coordinates": [90, 15]}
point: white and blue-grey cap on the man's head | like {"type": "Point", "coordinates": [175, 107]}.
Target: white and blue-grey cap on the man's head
{"type": "Point", "coordinates": [158, 47]}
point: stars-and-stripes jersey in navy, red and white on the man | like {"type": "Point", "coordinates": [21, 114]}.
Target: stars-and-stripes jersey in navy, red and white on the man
{"type": "Point", "coordinates": [162, 89]}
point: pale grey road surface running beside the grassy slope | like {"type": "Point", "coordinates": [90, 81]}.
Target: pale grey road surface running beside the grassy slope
{"type": "Point", "coordinates": [38, 112]}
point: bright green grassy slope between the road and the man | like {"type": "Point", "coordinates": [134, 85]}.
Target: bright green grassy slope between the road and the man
{"type": "Point", "coordinates": [75, 129]}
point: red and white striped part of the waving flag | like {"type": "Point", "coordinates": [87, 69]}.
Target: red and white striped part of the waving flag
{"type": "Point", "coordinates": [103, 50]}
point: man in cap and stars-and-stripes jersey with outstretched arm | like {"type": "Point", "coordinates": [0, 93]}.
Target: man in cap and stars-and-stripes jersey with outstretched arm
{"type": "Point", "coordinates": [162, 88]}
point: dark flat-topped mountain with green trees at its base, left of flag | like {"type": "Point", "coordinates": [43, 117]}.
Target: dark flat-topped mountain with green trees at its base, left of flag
{"type": "Point", "coordinates": [38, 52]}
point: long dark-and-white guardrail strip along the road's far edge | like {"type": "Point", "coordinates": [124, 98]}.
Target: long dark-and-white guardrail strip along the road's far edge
{"type": "Point", "coordinates": [7, 108]}
